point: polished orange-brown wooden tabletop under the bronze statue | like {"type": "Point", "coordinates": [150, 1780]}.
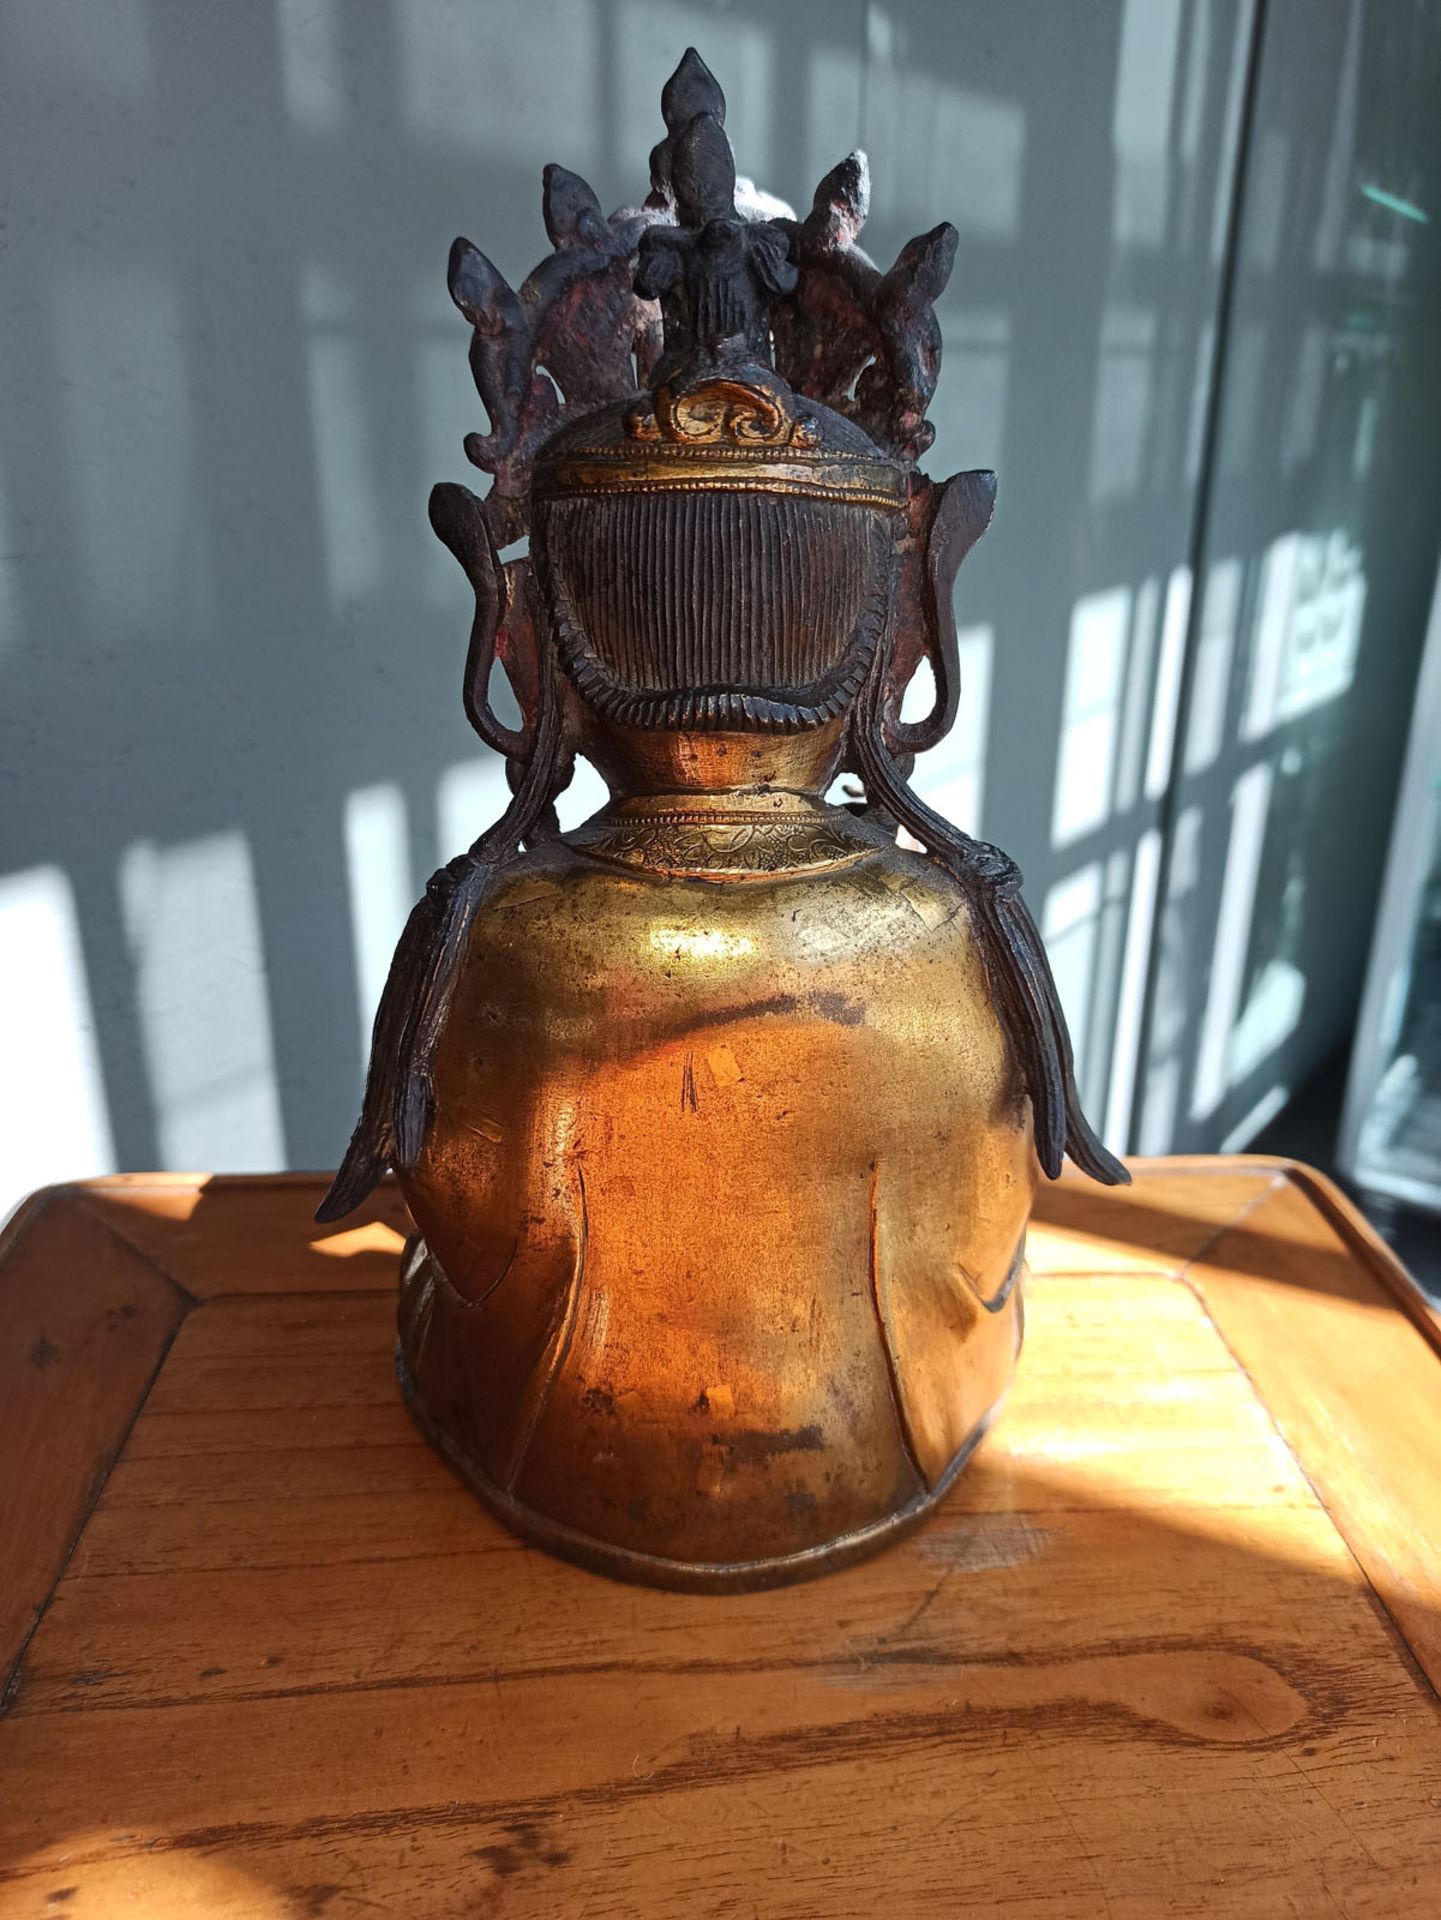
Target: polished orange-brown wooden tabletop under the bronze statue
{"type": "Point", "coordinates": [1169, 1648]}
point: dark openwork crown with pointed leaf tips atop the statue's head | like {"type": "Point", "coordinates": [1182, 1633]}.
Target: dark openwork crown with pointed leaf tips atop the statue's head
{"type": "Point", "coordinates": [699, 276]}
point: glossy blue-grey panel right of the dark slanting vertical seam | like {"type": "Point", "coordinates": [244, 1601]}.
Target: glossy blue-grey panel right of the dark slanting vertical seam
{"type": "Point", "coordinates": [1317, 571]}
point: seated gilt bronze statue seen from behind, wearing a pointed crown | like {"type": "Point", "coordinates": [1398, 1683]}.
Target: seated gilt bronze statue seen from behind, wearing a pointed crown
{"type": "Point", "coordinates": [720, 1118]}
